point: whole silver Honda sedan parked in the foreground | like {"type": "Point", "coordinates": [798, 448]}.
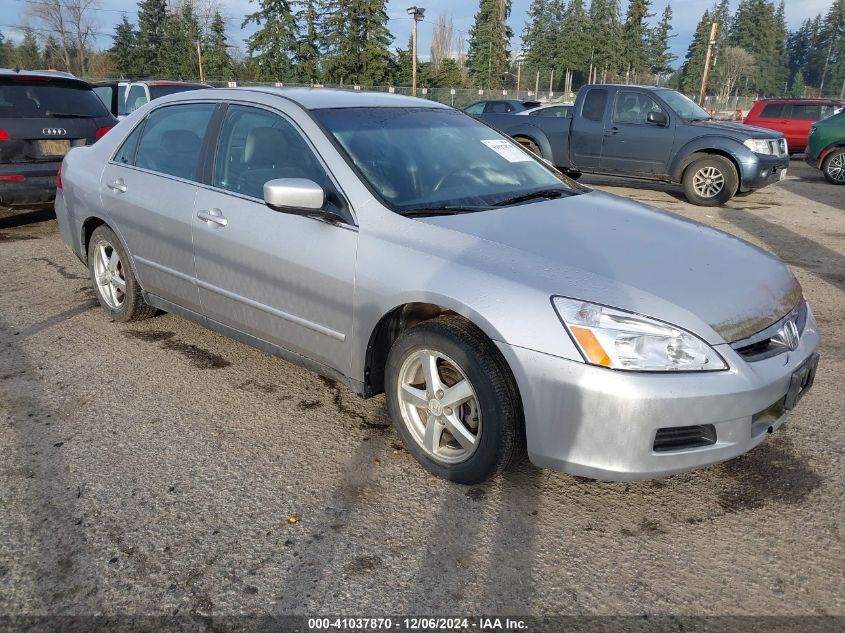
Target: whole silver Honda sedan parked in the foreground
{"type": "Point", "coordinates": [405, 248]}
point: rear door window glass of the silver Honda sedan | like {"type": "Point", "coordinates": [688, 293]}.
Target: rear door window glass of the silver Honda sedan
{"type": "Point", "coordinates": [172, 139]}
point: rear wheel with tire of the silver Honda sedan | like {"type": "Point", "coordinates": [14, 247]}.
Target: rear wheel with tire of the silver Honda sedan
{"type": "Point", "coordinates": [117, 289]}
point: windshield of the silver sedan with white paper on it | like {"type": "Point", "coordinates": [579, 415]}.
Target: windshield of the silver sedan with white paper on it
{"type": "Point", "coordinates": [419, 159]}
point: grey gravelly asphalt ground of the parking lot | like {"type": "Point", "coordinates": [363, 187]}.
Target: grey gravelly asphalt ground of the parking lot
{"type": "Point", "coordinates": [155, 468]}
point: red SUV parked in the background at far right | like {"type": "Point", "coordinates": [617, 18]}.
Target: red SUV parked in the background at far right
{"type": "Point", "coordinates": [793, 117]}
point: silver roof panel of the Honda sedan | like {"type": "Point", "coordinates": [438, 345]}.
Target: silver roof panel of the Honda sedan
{"type": "Point", "coordinates": [317, 98]}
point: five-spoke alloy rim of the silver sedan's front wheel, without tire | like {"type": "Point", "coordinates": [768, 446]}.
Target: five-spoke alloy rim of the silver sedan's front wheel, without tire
{"type": "Point", "coordinates": [439, 406]}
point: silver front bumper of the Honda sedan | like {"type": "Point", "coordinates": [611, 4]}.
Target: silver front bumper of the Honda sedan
{"type": "Point", "coordinates": [601, 423]}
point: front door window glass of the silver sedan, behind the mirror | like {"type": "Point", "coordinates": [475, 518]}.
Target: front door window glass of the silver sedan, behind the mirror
{"type": "Point", "coordinates": [256, 146]}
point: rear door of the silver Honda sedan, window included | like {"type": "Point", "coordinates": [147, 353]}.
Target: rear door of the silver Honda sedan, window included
{"type": "Point", "coordinates": [149, 188]}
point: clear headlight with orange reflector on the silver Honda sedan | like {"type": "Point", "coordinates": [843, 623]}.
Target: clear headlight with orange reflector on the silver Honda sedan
{"type": "Point", "coordinates": [623, 340]}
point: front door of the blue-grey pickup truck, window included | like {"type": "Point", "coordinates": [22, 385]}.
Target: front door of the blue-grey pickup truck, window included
{"type": "Point", "coordinates": [632, 145]}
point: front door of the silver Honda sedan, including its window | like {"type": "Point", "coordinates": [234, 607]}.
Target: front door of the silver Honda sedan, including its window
{"type": "Point", "coordinates": [283, 278]}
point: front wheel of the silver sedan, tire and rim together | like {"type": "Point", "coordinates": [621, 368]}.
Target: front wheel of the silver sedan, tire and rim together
{"type": "Point", "coordinates": [453, 401]}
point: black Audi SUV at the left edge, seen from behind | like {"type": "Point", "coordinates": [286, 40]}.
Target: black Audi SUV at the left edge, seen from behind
{"type": "Point", "coordinates": [43, 114]}
